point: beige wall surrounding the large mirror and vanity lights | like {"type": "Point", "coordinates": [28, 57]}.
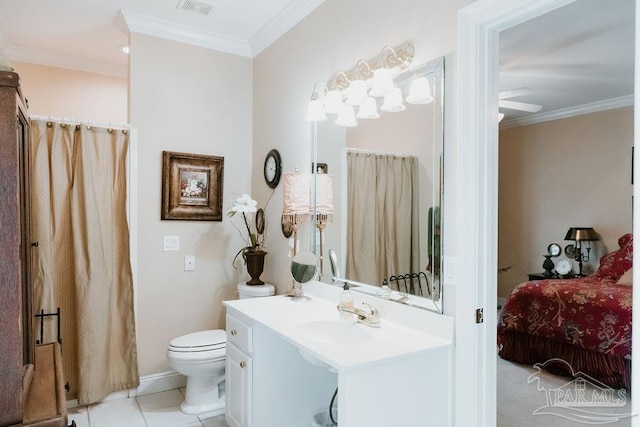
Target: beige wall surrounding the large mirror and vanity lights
{"type": "Point", "coordinates": [334, 37]}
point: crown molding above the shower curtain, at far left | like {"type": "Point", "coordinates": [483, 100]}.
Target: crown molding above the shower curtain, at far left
{"type": "Point", "coordinates": [56, 59]}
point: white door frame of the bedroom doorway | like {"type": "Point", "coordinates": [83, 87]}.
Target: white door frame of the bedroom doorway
{"type": "Point", "coordinates": [479, 25]}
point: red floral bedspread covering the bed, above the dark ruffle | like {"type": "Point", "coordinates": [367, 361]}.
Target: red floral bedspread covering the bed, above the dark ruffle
{"type": "Point", "coordinates": [589, 312]}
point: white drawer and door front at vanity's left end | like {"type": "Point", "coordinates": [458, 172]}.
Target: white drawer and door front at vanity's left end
{"type": "Point", "coordinates": [239, 373]}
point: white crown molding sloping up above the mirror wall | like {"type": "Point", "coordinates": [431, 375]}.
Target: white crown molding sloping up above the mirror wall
{"type": "Point", "coordinates": [295, 12]}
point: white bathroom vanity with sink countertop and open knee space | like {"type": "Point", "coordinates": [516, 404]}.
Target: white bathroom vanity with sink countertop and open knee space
{"type": "Point", "coordinates": [285, 359]}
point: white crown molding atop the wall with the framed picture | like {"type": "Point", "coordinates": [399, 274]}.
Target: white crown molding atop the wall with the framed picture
{"type": "Point", "coordinates": [143, 24]}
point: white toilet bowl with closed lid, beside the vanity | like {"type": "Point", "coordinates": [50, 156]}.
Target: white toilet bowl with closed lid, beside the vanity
{"type": "Point", "coordinates": [200, 357]}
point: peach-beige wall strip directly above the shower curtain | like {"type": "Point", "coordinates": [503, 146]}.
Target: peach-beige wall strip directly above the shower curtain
{"type": "Point", "coordinates": [61, 92]}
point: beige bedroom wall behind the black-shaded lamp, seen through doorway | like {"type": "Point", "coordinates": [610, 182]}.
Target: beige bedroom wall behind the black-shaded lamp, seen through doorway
{"type": "Point", "coordinates": [559, 174]}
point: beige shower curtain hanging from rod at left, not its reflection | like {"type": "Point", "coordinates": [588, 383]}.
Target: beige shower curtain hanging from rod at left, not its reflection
{"type": "Point", "coordinates": [81, 264]}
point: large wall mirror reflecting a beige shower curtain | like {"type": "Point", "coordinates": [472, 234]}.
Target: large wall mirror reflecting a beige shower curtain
{"type": "Point", "coordinates": [387, 192]}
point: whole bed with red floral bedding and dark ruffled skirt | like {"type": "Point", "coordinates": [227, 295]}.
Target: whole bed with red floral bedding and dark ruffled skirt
{"type": "Point", "coordinates": [583, 321]}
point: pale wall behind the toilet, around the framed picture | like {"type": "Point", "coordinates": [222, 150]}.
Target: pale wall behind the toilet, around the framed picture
{"type": "Point", "coordinates": [194, 100]}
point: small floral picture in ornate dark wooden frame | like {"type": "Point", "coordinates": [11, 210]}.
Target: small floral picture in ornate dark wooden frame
{"type": "Point", "coordinates": [192, 186]}
